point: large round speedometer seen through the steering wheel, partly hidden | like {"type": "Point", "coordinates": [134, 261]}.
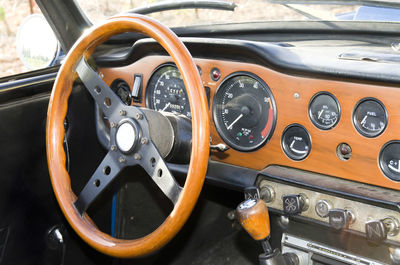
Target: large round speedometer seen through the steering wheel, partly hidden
{"type": "Point", "coordinates": [166, 91]}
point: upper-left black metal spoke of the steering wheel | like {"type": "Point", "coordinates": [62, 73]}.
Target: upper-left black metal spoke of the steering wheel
{"type": "Point", "coordinates": [105, 98]}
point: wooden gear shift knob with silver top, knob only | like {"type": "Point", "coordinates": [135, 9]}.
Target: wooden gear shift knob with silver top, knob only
{"type": "Point", "coordinates": [253, 215]}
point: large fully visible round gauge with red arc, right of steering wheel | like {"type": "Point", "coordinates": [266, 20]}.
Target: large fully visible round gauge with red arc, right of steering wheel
{"type": "Point", "coordinates": [244, 111]}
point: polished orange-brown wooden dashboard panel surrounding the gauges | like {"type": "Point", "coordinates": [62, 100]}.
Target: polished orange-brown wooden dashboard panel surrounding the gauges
{"type": "Point", "coordinates": [293, 95]}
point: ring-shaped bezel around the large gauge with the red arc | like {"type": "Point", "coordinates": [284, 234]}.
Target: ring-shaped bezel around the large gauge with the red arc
{"type": "Point", "coordinates": [218, 125]}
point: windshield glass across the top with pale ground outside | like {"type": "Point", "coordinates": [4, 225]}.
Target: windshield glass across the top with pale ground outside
{"type": "Point", "coordinates": [251, 11]}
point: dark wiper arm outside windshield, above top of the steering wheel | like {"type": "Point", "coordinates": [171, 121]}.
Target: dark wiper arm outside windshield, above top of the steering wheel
{"type": "Point", "coordinates": [184, 4]}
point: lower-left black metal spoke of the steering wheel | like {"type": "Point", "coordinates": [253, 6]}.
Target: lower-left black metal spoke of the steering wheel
{"type": "Point", "coordinates": [105, 173]}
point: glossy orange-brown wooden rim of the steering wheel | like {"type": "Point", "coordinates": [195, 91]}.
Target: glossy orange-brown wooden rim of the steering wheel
{"type": "Point", "coordinates": [57, 111]}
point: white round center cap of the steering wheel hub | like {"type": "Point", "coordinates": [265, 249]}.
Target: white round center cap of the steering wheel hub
{"type": "Point", "coordinates": [126, 136]}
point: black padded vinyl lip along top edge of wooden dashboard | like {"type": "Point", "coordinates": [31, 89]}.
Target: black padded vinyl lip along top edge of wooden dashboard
{"type": "Point", "coordinates": [270, 55]}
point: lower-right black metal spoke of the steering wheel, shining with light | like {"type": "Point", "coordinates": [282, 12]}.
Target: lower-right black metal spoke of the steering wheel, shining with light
{"type": "Point", "coordinates": [157, 169]}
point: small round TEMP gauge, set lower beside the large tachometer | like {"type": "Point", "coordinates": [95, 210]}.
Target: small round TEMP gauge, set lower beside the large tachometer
{"type": "Point", "coordinates": [296, 142]}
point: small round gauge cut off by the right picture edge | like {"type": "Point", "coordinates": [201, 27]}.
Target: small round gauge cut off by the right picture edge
{"type": "Point", "coordinates": [389, 160]}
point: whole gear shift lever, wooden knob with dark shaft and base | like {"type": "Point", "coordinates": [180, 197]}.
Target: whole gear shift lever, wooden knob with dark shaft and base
{"type": "Point", "coordinates": [253, 216]}
